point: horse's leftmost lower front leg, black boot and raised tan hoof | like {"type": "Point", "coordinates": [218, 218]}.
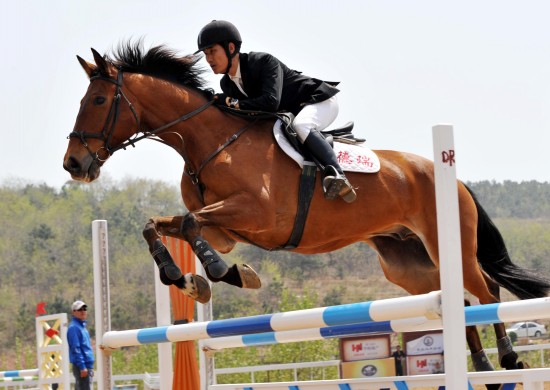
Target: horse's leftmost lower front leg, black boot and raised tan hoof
{"type": "Point", "coordinates": [194, 286]}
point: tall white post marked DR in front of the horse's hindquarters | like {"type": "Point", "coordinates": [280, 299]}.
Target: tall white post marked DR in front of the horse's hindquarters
{"type": "Point", "coordinates": [450, 258]}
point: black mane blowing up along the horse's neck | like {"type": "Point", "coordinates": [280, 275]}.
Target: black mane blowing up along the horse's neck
{"type": "Point", "coordinates": [160, 62]}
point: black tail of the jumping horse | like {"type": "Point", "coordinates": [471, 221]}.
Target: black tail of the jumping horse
{"type": "Point", "coordinates": [495, 261]}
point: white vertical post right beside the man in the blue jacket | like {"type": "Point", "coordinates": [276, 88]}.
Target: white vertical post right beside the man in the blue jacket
{"type": "Point", "coordinates": [102, 303]}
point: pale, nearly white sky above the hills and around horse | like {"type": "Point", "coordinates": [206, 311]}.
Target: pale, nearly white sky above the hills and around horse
{"type": "Point", "coordinates": [404, 66]}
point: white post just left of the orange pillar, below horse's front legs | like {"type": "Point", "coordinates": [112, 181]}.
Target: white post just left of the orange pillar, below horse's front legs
{"type": "Point", "coordinates": [162, 295]}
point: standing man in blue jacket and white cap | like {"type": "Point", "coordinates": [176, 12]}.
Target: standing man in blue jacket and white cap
{"type": "Point", "coordinates": [81, 354]}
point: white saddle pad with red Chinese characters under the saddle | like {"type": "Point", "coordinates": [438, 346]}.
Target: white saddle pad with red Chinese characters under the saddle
{"type": "Point", "coordinates": [352, 158]}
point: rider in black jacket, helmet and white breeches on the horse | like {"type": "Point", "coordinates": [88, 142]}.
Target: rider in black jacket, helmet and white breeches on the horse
{"type": "Point", "coordinates": [259, 81]}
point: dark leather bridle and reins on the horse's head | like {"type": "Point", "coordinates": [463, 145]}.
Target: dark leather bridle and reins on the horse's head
{"type": "Point", "coordinates": [107, 132]}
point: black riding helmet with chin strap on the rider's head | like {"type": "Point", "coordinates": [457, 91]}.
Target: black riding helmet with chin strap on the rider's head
{"type": "Point", "coordinates": [221, 32]}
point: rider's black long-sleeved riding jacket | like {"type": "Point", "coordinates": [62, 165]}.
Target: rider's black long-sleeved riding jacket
{"type": "Point", "coordinates": [271, 86]}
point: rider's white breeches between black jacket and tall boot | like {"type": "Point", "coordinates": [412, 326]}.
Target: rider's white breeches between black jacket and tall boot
{"type": "Point", "coordinates": [316, 116]}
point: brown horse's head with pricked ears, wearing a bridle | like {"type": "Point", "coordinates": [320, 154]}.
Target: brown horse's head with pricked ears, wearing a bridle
{"type": "Point", "coordinates": [106, 120]}
